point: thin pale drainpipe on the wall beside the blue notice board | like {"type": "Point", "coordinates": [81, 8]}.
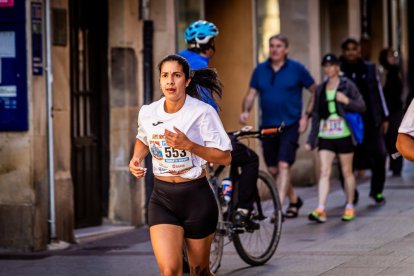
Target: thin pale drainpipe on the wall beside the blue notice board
{"type": "Point", "coordinates": [49, 106]}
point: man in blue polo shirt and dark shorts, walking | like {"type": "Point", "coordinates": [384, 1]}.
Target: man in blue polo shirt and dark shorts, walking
{"type": "Point", "coordinates": [279, 82]}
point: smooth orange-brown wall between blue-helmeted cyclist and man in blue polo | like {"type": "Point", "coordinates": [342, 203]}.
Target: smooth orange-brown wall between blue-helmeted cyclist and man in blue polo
{"type": "Point", "coordinates": [234, 58]}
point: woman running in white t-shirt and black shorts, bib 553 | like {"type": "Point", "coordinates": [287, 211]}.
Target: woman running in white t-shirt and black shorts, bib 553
{"type": "Point", "coordinates": [182, 134]}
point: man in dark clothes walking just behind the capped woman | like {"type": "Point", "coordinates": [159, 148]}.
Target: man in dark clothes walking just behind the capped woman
{"type": "Point", "coordinates": [372, 153]}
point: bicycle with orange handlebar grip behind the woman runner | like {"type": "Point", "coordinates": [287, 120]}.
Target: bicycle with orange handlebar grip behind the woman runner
{"type": "Point", "coordinates": [257, 241]}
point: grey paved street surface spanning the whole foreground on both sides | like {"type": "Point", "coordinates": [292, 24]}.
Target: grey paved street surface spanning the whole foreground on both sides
{"type": "Point", "coordinates": [380, 241]}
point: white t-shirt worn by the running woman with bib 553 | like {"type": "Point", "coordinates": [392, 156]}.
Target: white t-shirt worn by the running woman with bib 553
{"type": "Point", "coordinates": [196, 119]}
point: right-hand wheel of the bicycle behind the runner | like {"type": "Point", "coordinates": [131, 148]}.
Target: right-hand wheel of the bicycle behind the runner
{"type": "Point", "coordinates": [257, 246]}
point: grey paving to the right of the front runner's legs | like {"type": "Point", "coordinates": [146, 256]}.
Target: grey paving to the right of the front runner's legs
{"type": "Point", "coordinates": [380, 241]}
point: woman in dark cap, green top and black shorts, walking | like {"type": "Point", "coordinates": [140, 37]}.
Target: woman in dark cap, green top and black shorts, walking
{"type": "Point", "coordinates": [332, 135]}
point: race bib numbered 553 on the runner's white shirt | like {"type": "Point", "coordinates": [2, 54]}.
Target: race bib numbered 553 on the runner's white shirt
{"type": "Point", "coordinates": [169, 159]}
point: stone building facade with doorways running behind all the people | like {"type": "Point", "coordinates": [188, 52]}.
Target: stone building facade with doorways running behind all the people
{"type": "Point", "coordinates": [103, 68]}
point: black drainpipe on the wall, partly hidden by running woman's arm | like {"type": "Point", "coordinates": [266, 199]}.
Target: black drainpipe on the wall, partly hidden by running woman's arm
{"type": "Point", "coordinates": [148, 33]}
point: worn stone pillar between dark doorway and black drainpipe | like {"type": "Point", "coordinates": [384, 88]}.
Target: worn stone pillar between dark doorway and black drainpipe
{"type": "Point", "coordinates": [124, 53]}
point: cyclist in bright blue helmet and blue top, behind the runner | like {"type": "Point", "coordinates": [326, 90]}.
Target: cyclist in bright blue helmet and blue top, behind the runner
{"type": "Point", "coordinates": [200, 38]}
